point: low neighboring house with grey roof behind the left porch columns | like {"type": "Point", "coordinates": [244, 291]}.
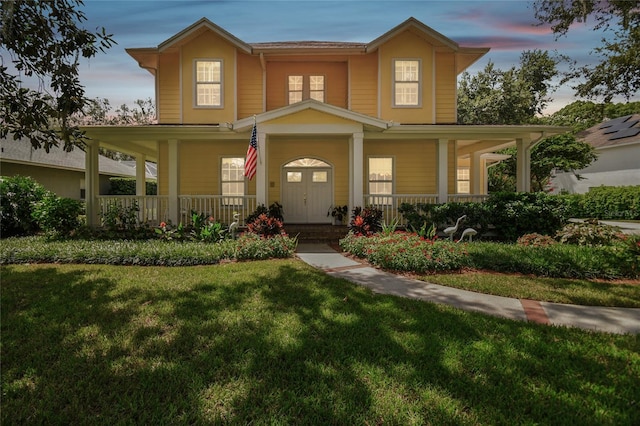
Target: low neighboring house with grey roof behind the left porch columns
{"type": "Point", "coordinates": [58, 171]}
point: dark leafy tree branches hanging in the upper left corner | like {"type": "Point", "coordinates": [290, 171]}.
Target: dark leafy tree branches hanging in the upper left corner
{"type": "Point", "coordinates": [45, 40]}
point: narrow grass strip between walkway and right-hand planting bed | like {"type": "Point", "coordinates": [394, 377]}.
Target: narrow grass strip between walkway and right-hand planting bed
{"type": "Point", "coordinates": [558, 290]}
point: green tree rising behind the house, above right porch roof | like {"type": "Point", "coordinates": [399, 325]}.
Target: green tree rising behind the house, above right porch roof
{"type": "Point", "coordinates": [514, 96]}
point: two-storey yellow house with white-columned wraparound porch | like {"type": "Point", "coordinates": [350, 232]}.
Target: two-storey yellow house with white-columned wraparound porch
{"type": "Point", "coordinates": [338, 123]}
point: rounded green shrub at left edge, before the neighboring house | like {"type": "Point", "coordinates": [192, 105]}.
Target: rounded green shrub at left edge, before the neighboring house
{"type": "Point", "coordinates": [18, 196]}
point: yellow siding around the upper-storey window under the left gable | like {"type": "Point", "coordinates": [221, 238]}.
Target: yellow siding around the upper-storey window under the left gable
{"type": "Point", "coordinates": [208, 46]}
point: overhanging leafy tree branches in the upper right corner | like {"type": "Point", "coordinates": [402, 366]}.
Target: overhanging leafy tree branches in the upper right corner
{"type": "Point", "coordinates": [618, 71]}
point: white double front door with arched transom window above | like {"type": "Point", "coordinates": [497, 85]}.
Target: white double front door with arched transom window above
{"type": "Point", "coordinates": [307, 190]}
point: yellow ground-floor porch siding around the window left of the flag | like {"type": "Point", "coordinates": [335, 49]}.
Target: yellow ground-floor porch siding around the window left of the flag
{"type": "Point", "coordinates": [200, 164]}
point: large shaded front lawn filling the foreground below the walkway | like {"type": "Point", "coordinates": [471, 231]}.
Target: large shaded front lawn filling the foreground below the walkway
{"type": "Point", "coordinates": [277, 342]}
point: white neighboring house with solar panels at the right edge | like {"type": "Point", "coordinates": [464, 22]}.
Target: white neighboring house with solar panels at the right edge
{"type": "Point", "coordinates": [617, 143]}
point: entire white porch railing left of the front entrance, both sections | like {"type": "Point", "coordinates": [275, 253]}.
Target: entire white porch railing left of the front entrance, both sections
{"type": "Point", "coordinates": [154, 209]}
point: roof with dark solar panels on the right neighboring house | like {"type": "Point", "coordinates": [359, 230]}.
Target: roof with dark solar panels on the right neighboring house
{"type": "Point", "coordinates": [617, 132]}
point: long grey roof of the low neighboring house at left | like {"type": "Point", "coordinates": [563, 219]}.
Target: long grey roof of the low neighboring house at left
{"type": "Point", "coordinates": [21, 152]}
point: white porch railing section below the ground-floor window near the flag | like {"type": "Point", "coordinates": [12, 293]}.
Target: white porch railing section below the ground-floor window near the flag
{"type": "Point", "coordinates": [221, 208]}
